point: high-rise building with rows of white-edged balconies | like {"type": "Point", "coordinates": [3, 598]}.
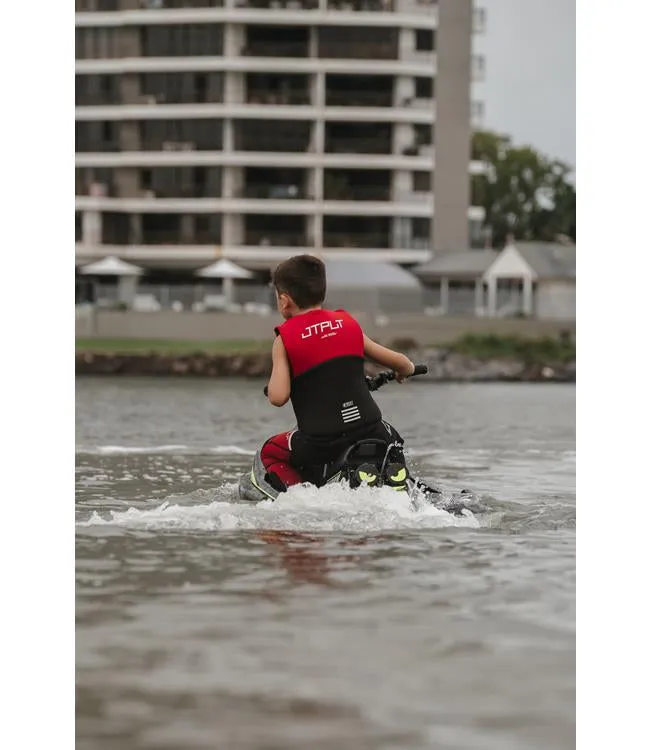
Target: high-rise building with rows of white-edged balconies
{"type": "Point", "coordinates": [255, 129]}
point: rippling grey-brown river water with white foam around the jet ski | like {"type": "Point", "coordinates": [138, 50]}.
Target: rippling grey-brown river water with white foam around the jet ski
{"type": "Point", "coordinates": [328, 621]}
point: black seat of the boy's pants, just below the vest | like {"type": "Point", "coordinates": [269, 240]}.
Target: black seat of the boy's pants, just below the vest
{"type": "Point", "coordinates": [311, 450]}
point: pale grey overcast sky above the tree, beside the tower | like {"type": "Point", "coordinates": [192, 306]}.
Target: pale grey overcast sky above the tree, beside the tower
{"type": "Point", "coordinates": [529, 92]}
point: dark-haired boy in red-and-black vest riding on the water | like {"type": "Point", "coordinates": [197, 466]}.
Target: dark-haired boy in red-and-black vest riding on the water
{"type": "Point", "coordinates": [318, 363]}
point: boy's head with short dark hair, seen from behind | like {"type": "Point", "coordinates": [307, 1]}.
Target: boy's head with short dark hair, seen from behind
{"type": "Point", "coordinates": [299, 284]}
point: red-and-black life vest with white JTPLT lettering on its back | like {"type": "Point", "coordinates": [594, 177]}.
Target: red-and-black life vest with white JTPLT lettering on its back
{"type": "Point", "coordinates": [329, 393]}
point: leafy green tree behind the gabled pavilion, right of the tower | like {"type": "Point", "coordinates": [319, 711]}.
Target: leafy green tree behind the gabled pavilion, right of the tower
{"type": "Point", "coordinates": [525, 194]}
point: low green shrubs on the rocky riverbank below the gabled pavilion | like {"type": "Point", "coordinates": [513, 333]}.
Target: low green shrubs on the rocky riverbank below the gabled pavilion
{"type": "Point", "coordinates": [532, 351]}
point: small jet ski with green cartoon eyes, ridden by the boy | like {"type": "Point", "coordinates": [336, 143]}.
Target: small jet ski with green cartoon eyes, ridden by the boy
{"type": "Point", "coordinates": [365, 463]}
